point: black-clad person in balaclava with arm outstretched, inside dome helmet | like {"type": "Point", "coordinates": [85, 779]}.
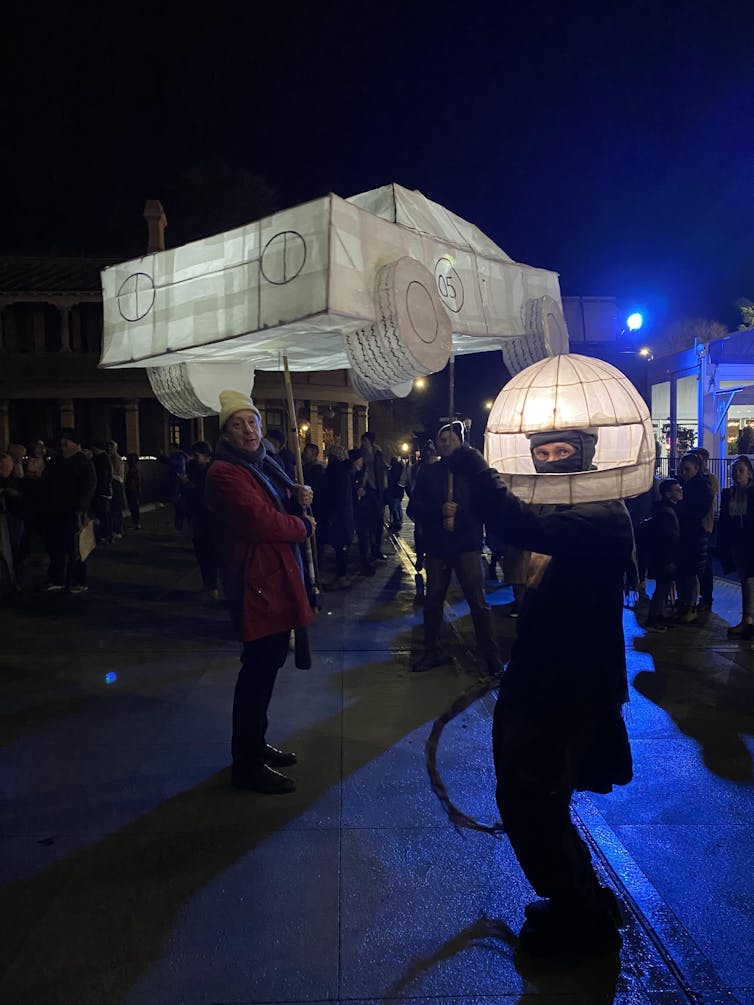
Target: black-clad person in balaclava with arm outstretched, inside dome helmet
{"type": "Point", "coordinates": [558, 726]}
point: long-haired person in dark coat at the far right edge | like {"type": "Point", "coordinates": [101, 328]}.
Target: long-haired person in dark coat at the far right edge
{"type": "Point", "coordinates": [736, 539]}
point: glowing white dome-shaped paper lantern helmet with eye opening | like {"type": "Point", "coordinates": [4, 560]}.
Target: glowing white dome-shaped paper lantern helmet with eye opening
{"type": "Point", "coordinates": [573, 392]}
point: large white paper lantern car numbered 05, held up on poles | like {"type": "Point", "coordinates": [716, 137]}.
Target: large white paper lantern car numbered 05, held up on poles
{"type": "Point", "coordinates": [387, 284]}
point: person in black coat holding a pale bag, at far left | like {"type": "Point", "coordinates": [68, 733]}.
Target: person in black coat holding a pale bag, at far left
{"type": "Point", "coordinates": [70, 483]}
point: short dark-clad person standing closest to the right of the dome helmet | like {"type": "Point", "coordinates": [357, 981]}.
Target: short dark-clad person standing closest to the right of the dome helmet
{"type": "Point", "coordinates": [663, 548]}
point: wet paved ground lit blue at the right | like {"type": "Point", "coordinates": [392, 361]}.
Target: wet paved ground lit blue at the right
{"type": "Point", "coordinates": [132, 873]}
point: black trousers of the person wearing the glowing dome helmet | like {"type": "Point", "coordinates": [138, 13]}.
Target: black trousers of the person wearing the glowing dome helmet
{"type": "Point", "coordinates": [536, 757]}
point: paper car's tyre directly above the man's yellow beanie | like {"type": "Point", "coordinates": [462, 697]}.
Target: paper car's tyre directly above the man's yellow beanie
{"type": "Point", "coordinates": [192, 390]}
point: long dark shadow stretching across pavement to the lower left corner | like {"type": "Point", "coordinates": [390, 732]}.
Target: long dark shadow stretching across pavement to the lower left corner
{"type": "Point", "coordinates": [98, 921]}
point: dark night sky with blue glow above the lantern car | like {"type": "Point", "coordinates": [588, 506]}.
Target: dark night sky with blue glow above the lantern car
{"type": "Point", "coordinates": [616, 147]}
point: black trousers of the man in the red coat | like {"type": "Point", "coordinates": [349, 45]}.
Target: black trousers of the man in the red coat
{"type": "Point", "coordinates": [261, 662]}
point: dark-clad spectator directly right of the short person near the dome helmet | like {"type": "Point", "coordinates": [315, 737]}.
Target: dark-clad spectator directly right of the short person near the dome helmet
{"type": "Point", "coordinates": [692, 515]}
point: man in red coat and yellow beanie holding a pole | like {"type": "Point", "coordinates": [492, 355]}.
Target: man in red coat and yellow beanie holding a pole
{"type": "Point", "coordinates": [259, 523]}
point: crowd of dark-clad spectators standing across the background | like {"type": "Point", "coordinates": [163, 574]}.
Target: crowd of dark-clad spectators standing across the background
{"type": "Point", "coordinates": [48, 495]}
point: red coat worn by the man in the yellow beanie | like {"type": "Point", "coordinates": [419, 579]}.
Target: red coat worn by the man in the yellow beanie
{"type": "Point", "coordinates": [256, 547]}
